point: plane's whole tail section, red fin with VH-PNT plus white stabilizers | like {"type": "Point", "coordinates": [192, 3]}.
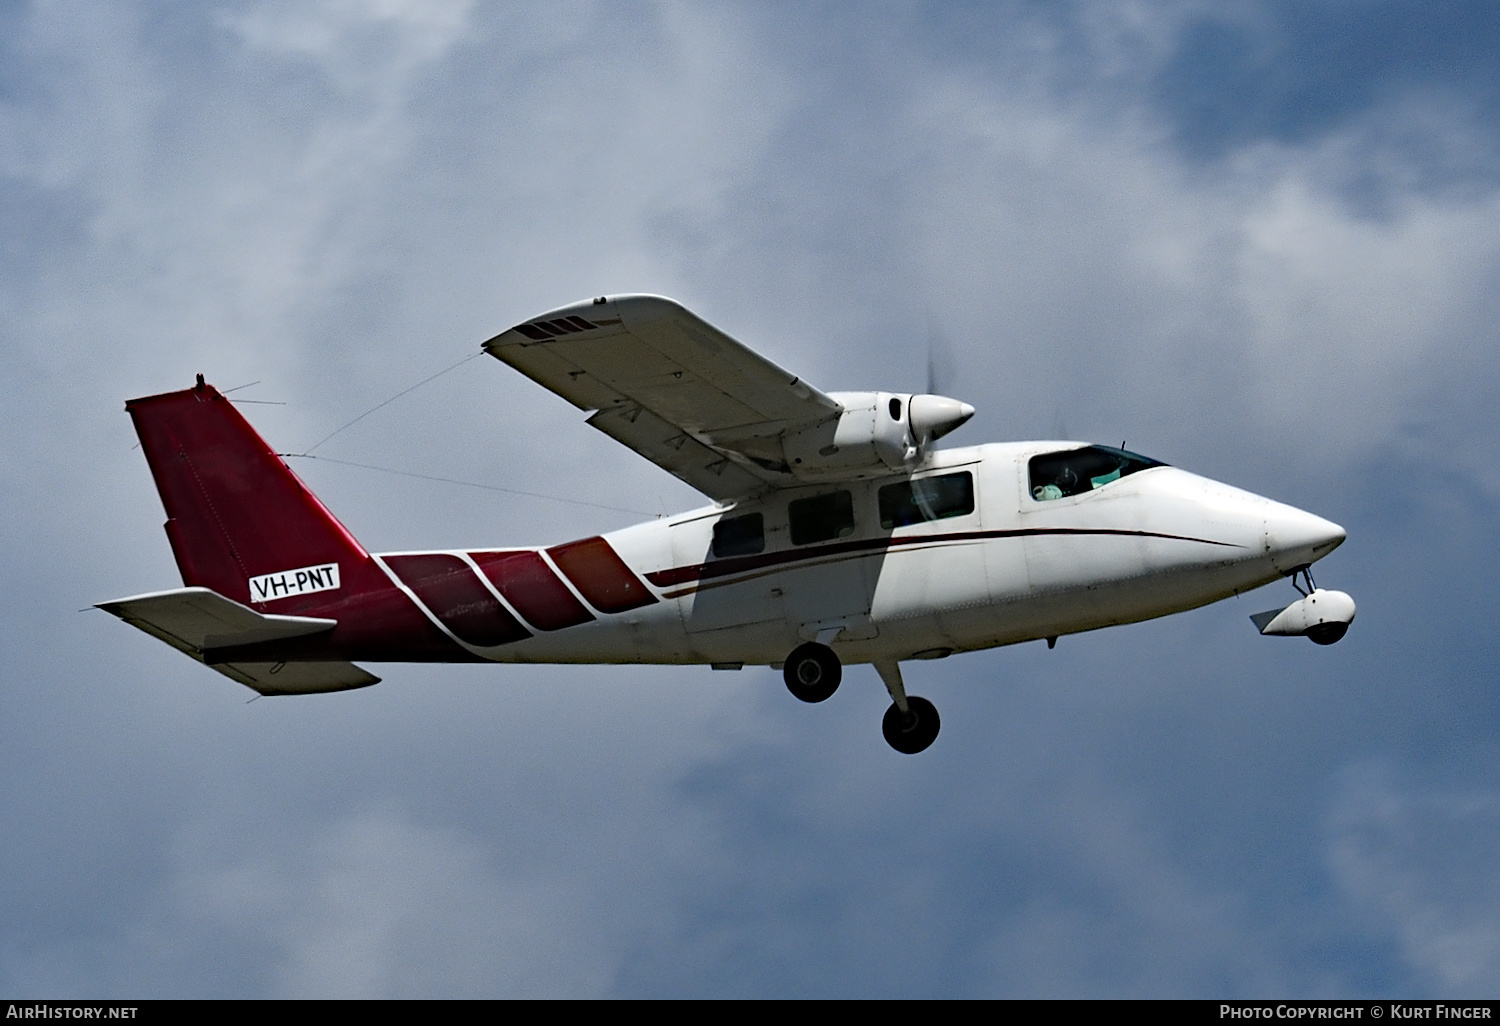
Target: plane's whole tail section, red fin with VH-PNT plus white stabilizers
{"type": "Point", "coordinates": [245, 527]}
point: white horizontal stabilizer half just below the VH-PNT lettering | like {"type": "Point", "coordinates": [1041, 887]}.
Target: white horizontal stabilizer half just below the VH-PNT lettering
{"type": "Point", "coordinates": [196, 619]}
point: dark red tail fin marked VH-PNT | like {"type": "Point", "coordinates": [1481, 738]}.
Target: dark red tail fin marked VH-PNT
{"type": "Point", "coordinates": [239, 521]}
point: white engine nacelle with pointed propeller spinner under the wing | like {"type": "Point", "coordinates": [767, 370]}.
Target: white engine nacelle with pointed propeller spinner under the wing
{"type": "Point", "coordinates": [878, 433]}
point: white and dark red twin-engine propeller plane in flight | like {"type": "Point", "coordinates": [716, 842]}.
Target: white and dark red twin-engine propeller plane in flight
{"type": "Point", "coordinates": [838, 535]}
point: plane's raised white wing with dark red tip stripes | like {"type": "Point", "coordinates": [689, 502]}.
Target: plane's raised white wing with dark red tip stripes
{"type": "Point", "coordinates": [670, 386]}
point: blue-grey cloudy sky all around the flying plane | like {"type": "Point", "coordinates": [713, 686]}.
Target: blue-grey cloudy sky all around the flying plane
{"type": "Point", "coordinates": [1259, 241]}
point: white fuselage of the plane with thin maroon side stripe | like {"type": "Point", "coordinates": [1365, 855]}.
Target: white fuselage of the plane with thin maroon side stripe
{"type": "Point", "coordinates": [1013, 569]}
